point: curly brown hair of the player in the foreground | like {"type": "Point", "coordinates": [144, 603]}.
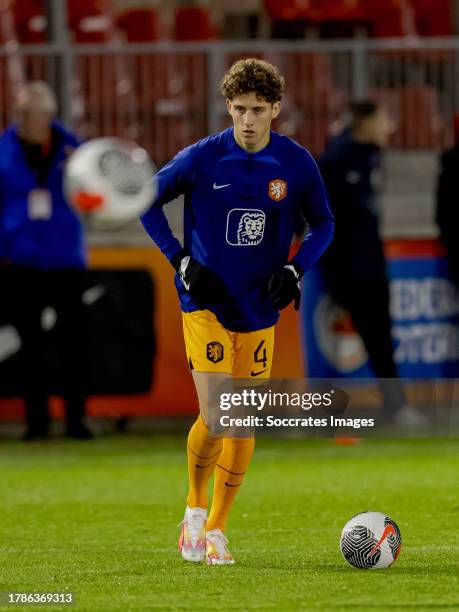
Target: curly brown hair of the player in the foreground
{"type": "Point", "coordinates": [253, 75]}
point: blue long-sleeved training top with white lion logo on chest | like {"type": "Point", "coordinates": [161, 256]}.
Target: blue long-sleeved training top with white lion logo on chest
{"type": "Point", "coordinates": [239, 218]}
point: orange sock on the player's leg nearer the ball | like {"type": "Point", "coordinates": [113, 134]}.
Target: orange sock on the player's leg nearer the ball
{"type": "Point", "coordinates": [229, 474]}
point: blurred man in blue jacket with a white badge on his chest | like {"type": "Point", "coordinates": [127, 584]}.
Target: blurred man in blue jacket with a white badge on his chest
{"type": "Point", "coordinates": [42, 244]}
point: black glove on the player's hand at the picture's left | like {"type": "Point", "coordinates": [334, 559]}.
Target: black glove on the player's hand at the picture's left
{"type": "Point", "coordinates": [202, 284]}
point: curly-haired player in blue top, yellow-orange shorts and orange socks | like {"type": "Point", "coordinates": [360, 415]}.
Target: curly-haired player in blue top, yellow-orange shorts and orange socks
{"type": "Point", "coordinates": [244, 190]}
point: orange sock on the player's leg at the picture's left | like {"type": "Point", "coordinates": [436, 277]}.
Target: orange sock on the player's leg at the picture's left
{"type": "Point", "coordinates": [203, 452]}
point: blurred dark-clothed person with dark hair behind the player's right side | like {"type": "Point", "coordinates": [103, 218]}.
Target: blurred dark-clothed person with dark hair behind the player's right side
{"type": "Point", "coordinates": [354, 266]}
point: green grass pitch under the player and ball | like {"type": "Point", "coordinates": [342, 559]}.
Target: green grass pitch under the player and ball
{"type": "Point", "coordinates": [99, 519]}
